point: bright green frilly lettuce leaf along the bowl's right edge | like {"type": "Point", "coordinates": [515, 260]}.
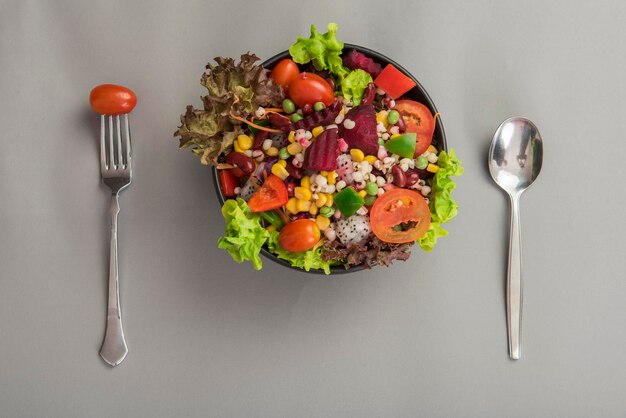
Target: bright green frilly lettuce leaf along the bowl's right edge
{"type": "Point", "coordinates": [442, 207]}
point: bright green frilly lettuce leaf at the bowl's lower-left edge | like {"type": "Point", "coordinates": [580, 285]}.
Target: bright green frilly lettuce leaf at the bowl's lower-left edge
{"type": "Point", "coordinates": [244, 235]}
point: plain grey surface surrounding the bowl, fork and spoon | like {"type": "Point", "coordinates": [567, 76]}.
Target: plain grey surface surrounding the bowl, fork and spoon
{"type": "Point", "coordinates": [208, 337]}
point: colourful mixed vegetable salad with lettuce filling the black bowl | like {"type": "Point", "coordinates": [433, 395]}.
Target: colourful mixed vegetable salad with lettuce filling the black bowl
{"type": "Point", "coordinates": [322, 159]}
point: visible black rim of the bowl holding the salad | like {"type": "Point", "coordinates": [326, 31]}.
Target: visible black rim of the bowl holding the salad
{"type": "Point", "coordinates": [417, 93]}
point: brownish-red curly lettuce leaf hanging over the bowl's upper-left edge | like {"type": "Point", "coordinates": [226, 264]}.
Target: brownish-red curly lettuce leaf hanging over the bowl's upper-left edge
{"type": "Point", "coordinates": [235, 90]}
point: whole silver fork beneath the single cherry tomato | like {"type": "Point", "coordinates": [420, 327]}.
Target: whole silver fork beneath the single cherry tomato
{"type": "Point", "coordinates": [116, 172]}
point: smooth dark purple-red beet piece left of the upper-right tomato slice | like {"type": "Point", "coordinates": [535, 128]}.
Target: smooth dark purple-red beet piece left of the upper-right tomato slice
{"type": "Point", "coordinates": [363, 135]}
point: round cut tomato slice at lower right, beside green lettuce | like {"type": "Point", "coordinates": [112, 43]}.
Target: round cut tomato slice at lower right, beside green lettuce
{"type": "Point", "coordinates": [399, 216]}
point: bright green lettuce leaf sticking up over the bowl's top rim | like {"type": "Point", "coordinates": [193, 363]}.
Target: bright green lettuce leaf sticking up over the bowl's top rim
{"type": "Point", "coordinates": [323, 50]}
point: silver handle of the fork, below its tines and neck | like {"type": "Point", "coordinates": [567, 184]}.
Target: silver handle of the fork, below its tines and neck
{"type": "Point", "coordinates": [114, 348]}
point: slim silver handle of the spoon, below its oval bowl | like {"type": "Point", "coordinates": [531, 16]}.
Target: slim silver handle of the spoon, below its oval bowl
{"type": "Point", "coordinates": [514, 282]}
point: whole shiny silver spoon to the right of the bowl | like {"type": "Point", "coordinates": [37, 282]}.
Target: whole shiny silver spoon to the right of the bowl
{"type": "Point", "coordinates": [515, 158]}
